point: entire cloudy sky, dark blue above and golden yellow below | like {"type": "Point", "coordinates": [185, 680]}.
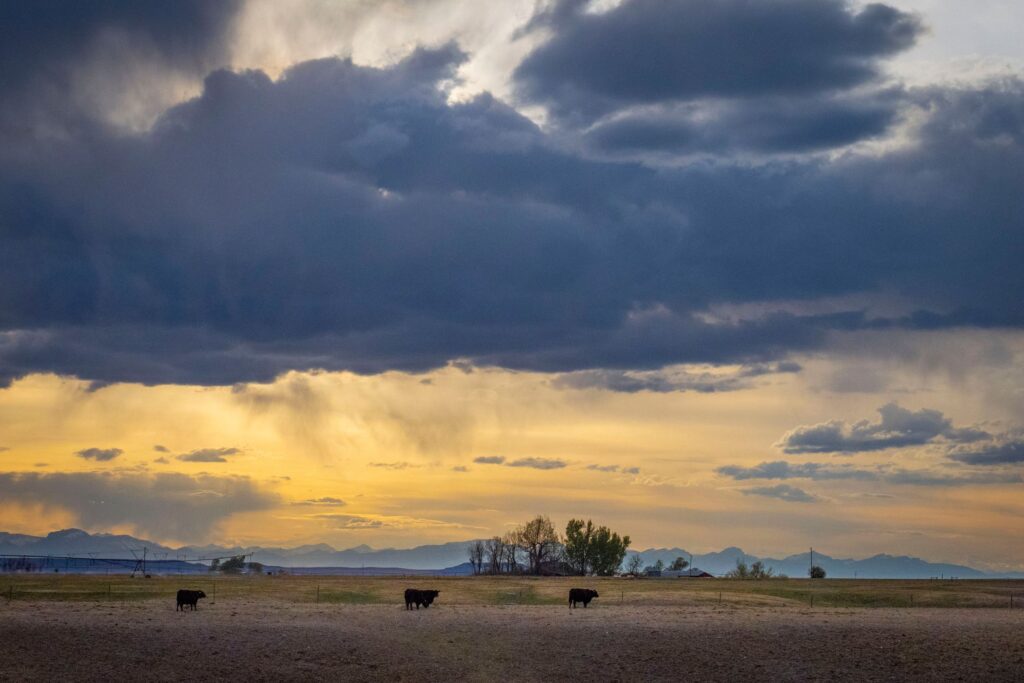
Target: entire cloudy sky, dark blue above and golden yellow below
{"type": "Point", "coordinates": [710, 273]}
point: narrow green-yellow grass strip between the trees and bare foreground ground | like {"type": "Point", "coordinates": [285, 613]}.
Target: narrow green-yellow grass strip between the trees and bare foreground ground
{"type": "Point", "coordinates": [522, 590]}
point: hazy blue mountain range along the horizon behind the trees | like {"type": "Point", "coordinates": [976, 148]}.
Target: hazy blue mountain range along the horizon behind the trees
{"type": "Point", "coordinates": [452, 558]}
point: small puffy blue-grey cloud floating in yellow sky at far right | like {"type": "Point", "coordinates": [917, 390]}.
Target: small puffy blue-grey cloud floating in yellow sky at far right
{"type": "Point", "coordinates": [899, 429]}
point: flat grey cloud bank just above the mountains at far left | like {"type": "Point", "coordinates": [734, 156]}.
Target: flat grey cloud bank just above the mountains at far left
{"type": "Point", "coordinates": [164, 506]}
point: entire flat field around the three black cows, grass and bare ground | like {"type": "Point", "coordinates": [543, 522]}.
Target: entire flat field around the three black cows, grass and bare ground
{"type": "Point", "coordinates": [520, 629]}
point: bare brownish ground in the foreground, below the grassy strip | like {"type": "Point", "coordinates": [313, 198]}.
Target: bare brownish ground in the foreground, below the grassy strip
{"type": "Point", "coordinates": [263, 638]}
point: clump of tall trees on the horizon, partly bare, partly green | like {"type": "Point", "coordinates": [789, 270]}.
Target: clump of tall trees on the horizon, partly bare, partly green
{"type": "Point", "coordinates": [536, 548]}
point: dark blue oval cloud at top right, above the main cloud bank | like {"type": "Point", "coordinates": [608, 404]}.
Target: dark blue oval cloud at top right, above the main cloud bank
{"type": "Point", "coordinates": [646, 52]}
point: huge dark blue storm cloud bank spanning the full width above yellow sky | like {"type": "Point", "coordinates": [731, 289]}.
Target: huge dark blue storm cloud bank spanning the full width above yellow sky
{"type": "Point", "coordinates": [352, 219]}
